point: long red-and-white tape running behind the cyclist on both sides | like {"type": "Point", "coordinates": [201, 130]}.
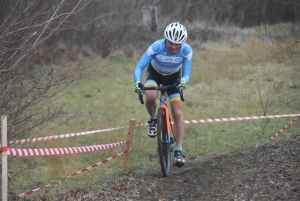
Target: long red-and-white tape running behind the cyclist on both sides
{"type": "Point", "coordinates": [144, 124]}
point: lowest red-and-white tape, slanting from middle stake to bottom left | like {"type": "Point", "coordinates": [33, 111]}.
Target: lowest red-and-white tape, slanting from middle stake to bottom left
{"type": "Point", "coordinates": [74, 174]}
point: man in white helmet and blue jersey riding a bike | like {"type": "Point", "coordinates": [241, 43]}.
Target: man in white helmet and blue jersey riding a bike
{"type": "Point", "coordinates": [166, 58]}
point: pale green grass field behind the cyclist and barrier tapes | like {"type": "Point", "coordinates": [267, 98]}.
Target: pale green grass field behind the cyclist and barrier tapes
{"type": "Point", "coordinates": [248, 80]}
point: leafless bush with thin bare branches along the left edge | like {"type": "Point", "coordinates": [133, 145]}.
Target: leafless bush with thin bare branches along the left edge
{"type": "Point", "coordinates": [29, 80]}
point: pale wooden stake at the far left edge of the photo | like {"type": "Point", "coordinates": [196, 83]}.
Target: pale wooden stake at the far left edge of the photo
{"type": "Point", "coordinates": [4, 157]}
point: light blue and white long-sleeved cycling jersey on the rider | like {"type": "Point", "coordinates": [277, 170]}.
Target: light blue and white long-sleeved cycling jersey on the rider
{"type": "Point", "coordinates": [164, 62]}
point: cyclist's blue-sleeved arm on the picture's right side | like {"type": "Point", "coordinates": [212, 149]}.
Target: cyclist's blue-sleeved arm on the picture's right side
{"type": "Point", "coordinates": [187, 62]}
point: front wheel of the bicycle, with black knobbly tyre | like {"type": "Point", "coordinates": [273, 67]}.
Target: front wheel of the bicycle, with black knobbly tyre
{"type": "Point", "coordinates": [163, 145]}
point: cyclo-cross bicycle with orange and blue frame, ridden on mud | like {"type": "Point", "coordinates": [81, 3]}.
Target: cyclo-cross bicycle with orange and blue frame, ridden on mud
{"type": "Point", "coordinates": [165, 132]}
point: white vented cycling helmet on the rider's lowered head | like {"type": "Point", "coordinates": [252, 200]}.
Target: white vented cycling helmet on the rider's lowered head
{"type": "Point", "coordinates": [176, 33]}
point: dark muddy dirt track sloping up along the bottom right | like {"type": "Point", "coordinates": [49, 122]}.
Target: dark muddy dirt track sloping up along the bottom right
{"type": "Point", "coordinates": [267, 172]}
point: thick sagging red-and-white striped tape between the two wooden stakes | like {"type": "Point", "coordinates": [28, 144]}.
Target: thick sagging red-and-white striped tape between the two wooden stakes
{"type": "Point", "coordinates": [59, 151]}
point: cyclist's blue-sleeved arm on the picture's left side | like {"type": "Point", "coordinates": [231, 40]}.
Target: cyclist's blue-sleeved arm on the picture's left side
{"type": "Point", "coordinates": [145, 60]}
